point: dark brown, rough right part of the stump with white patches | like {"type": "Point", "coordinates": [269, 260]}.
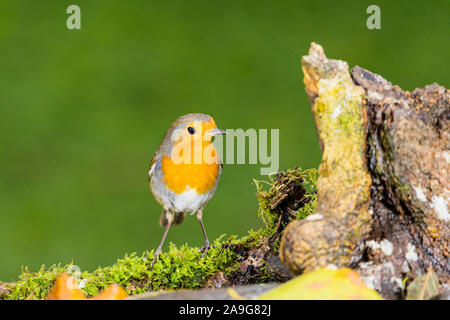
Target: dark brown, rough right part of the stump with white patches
{"type": "Point", "coordinates": [408, 152]}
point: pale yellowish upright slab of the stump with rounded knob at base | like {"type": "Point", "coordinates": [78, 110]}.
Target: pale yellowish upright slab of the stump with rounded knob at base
{"type": "Point", "coordinates": [341, 216]}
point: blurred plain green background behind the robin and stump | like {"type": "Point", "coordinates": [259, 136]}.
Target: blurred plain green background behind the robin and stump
{"type": "Point", "coordinates": [82, 111]}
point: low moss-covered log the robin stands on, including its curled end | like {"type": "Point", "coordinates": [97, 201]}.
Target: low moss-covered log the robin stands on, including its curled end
{"type": "Point", "coordinates": [232, 261]}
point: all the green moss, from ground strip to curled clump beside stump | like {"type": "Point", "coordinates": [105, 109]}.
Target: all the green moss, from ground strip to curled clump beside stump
{"type": "Point", "coordinates": [176, 267]}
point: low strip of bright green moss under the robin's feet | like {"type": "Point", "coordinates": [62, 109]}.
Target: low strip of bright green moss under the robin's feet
{"type": "Point", "coordinates": [176, 268]}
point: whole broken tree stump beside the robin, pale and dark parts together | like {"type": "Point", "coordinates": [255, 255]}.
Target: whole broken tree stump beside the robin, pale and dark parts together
{"type": "Point", "coordinates": [383, 185]}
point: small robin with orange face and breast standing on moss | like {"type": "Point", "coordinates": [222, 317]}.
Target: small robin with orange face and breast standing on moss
{"type": "Point", "coordinates": [185, 171]}
